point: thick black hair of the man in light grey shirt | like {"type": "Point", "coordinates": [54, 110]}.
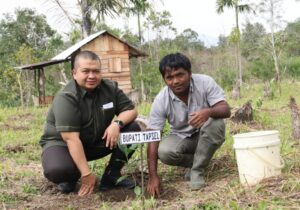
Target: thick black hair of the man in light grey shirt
{"type": "Point", "coordinates": [174, 61]}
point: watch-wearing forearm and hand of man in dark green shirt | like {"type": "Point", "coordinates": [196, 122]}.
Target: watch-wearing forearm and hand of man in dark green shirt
{"type": "Point", "coordinates": [112, 132]}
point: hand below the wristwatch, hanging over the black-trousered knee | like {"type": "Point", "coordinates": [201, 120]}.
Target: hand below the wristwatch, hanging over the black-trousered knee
{"type": "Point", "coordinates": [111, 135]}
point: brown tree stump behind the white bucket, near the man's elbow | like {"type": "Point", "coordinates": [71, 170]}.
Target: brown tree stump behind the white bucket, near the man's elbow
{"type": "Point", "coordinates": [243, 114]}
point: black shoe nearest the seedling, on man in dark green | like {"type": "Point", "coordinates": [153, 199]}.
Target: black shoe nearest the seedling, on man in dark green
{"type": "Point", "coordinates": [109, 181]}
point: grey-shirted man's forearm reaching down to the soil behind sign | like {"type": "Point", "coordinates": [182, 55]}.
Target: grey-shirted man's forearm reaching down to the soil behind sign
{"type": "Point", "coordinates": [154, 180]}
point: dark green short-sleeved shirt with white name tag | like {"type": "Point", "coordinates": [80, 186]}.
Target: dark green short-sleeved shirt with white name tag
{"type": "Point", "coordinates": [90, 113]}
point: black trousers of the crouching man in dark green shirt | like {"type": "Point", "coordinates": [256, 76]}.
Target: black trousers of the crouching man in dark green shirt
{"type": "Point", "coordinates": [59, 166]}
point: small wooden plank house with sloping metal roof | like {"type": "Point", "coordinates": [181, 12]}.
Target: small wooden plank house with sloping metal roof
{"type": "Point", "coordinates": [114, 53]}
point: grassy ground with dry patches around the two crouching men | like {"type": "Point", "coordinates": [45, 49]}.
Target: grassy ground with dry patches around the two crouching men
{"type": "Point", "coordinates": [21, 178]}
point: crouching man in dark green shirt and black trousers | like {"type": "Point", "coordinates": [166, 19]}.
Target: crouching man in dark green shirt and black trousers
{"type": "Point", "coordinates": [80, 128]}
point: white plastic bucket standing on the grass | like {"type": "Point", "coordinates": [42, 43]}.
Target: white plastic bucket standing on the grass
{"type": "Point", "coordinates": [258, 156]}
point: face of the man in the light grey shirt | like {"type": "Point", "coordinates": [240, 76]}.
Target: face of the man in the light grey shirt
{"type": "Point", "coordinates": [178, 80]}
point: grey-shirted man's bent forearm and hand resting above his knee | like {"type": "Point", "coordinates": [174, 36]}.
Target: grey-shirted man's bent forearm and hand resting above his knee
{"type": "Point", "coordinates": [218, 110]}
